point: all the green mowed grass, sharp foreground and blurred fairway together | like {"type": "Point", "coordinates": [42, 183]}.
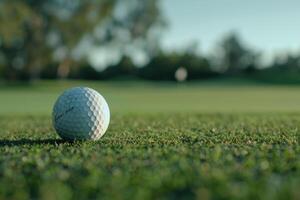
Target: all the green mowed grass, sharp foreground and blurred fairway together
{"type": "Point", "coordinates": [164, 142]}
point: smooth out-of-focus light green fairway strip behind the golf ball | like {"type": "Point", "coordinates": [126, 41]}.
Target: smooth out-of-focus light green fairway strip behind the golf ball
{"type": "Point", "coordinates": [146, 97]}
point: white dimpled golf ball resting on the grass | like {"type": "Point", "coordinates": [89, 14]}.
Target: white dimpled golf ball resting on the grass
{"type": "Point", "coordinates": [80, 113]}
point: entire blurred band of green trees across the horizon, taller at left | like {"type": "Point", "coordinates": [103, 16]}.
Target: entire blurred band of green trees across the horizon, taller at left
{"type": "Point", "coordinates": [53, 39]}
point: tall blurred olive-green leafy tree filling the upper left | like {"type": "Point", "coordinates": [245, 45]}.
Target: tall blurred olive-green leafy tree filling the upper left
{"type": "Point", "coordinates": [34, 32]}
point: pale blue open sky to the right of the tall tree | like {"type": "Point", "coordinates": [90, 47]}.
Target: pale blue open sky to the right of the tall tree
{"type": "Point", "coordinates": [271, 26]}
